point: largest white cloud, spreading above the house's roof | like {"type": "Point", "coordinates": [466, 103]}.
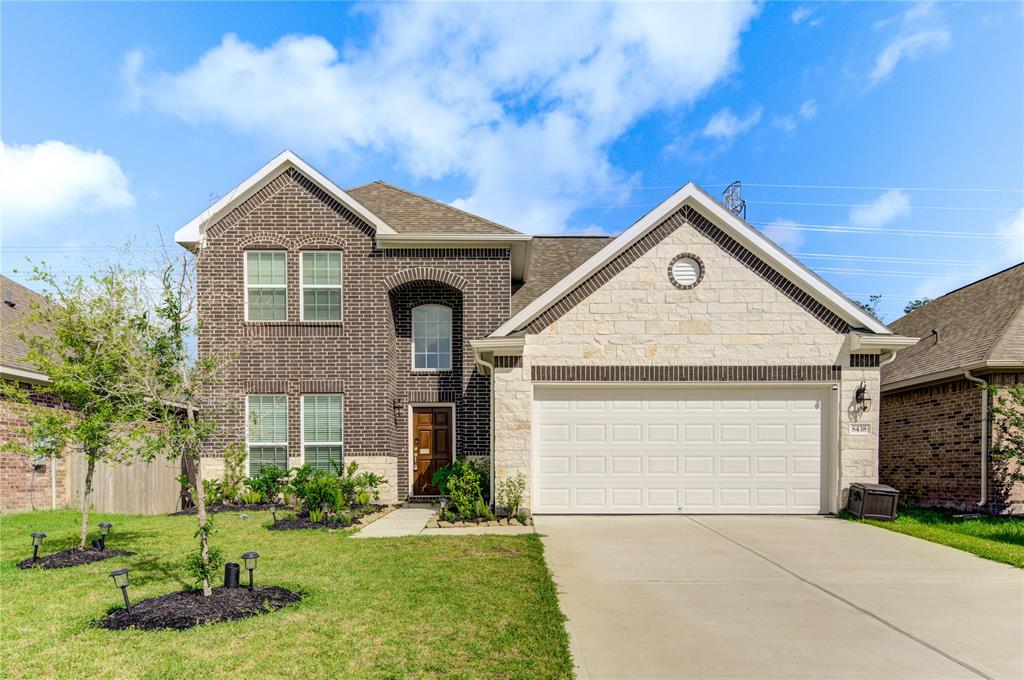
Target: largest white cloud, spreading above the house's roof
{"type": "Point", "coordinates": [523, 101]}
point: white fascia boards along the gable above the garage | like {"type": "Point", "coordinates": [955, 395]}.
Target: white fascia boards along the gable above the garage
{"type": "Point", "coordinates": [738, 229]}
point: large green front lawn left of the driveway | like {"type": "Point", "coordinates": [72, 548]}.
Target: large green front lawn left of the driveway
{"type": "Point", "coordinates": [420, 607]}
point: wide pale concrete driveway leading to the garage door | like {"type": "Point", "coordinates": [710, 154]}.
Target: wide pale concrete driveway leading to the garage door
{"type": "Point", "coordinates": [779, 598]}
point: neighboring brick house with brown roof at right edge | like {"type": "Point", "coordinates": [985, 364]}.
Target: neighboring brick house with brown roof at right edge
{"type": "Point", "coordinates": [934, 427]}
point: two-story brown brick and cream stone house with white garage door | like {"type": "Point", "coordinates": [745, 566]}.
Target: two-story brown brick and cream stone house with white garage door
{"type": "Point", "coordinates": [688, 365]}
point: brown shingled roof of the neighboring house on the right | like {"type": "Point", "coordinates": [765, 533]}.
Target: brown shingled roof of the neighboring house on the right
{"type": "Point", "coordinates": [978, 325]}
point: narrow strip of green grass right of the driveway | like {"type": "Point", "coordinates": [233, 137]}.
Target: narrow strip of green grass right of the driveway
{"type": "Point", "coordinates": [1000, 539]}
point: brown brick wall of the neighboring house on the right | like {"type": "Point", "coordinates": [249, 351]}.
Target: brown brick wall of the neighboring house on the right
{"type": "Point", "coordinates": [929, 447]}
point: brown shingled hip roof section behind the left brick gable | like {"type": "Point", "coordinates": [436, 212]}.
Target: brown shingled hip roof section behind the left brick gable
{"type": "Point", "coordinates": [407, 212]}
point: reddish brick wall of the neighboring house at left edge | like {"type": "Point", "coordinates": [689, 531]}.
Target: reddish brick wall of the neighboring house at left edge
{"type": "Point", "coordinates": [24, 487]}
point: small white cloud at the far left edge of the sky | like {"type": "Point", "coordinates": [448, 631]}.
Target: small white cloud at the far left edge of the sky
{"type": "Point", "coordinates": [53, 181]}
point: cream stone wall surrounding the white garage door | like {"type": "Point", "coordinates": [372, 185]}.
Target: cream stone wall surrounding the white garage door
{"type": "Point", "coordinates": [638, 318]}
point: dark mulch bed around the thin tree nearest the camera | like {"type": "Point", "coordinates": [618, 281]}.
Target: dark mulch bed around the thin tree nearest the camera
{"type": "Point", "coordinates": [187, 609]}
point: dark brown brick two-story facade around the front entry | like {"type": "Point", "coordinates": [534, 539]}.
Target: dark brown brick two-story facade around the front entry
{"type": "Point", "coordinates": [366, 357]}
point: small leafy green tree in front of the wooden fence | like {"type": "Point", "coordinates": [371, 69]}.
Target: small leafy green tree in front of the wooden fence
{"type": "Point", "coordinates": [91, 331]}
